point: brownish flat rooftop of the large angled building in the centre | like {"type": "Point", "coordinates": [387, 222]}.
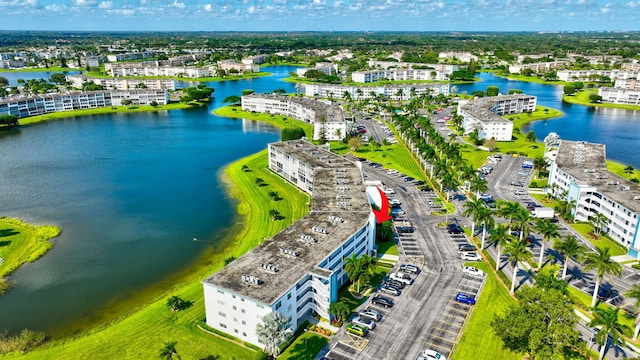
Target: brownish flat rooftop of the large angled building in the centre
{"type": "Point", "coordinates": [339, 208]}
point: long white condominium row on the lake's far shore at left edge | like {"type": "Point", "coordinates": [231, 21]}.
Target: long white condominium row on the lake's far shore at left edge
{"type": "Point", "coordinates": [43, 104]}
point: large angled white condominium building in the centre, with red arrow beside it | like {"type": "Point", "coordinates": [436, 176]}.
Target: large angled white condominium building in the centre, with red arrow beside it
{"type": "Point", "coordinates": [299, 270]}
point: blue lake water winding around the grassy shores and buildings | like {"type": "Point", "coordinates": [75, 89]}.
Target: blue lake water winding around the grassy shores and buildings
{"type": "Point", "coordinates": [131, 191]}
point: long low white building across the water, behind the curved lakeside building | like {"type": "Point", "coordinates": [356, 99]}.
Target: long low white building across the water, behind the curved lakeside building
{"type": "Point", "coordinates": [392, 92]}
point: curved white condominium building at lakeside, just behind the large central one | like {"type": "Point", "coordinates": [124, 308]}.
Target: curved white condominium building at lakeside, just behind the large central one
{"type": "Point", "coordinates": [328, 120]}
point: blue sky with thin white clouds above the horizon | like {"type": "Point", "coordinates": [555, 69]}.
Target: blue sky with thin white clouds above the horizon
{"type": "Point", "coordinates": [320, 15]}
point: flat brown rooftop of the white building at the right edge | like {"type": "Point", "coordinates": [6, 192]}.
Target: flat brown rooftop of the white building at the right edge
{"type": "Point", "coordinates": [587, 162]}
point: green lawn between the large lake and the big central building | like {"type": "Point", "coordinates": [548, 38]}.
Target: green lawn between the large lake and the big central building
{"type": "Point", "coordinates": [141, 333]}
